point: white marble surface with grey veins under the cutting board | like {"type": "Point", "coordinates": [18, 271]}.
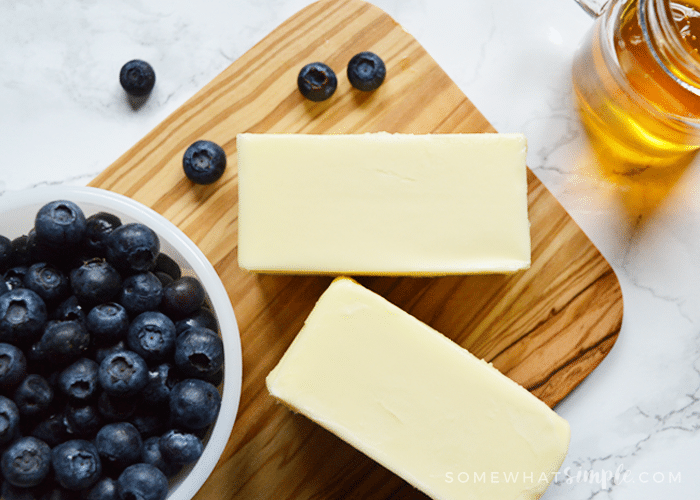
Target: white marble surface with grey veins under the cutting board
{"type": "Point", "coordinates": [63, 118]}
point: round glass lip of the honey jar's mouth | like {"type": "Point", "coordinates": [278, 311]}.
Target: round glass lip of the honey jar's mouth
{"type": "Point", "coordinates": [656, 22]}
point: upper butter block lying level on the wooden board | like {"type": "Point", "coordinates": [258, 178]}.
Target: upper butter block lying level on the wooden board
{"type": "Point", "coordinates": [383, 204]}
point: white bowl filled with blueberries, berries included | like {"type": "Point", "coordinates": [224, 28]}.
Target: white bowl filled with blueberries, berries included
{"type": "Point", "coordinates": [120, 357]}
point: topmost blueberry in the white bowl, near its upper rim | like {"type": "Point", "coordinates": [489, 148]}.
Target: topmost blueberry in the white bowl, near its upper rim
{"type": "Point", "coordinates": [60, 224]}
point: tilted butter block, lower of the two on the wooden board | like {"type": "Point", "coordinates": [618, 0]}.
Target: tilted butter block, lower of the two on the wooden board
{"type": "Point", "coordinates": [408, 397]}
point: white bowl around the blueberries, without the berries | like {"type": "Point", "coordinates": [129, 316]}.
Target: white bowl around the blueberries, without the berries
{"type": "Point", "coordinates": [17, 212]}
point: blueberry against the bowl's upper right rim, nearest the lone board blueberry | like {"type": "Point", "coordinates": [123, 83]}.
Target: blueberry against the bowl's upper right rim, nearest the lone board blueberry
{"type": "Point", "coordinates": [133, 248]}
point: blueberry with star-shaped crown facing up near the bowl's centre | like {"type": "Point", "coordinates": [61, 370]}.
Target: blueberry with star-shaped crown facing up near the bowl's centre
{"type": "Point", "coordinates": [123, 373]}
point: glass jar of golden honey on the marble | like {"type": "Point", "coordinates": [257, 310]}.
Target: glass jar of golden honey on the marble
{"type": "Point", "coordinates": [637, 82]}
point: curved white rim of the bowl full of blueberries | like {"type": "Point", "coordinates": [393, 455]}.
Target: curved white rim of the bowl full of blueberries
{"type": "Point", "coordinates": [221, 431]}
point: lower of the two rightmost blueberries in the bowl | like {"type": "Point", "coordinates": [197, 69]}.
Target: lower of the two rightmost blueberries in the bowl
{"type": "Point", "coordinates": [194, 404]}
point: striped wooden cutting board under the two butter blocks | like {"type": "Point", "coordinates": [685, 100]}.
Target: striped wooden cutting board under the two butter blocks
{"type": "Point", "coordinates": [547, 328]}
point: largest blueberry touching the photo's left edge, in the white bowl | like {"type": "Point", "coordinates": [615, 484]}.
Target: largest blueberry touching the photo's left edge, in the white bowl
{"type": "Point", "coordinates": [22, 316]}
